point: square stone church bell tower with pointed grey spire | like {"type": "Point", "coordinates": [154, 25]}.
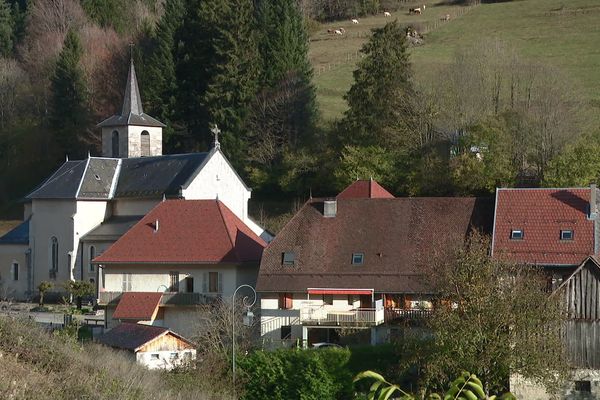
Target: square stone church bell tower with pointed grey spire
{"type": "Point", "coordinates": [132, 133]}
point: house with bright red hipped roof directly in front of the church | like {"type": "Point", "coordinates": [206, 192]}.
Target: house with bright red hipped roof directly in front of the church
{"type": "Point", "coordinates": [181, 255]}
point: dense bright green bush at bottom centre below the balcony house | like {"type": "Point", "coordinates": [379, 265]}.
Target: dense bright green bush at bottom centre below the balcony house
{"type": "Point", "coordinates": [297, 374]}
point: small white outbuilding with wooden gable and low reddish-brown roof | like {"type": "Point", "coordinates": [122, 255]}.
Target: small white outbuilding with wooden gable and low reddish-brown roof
{"type": "Point", "coordinates": [151, 346]}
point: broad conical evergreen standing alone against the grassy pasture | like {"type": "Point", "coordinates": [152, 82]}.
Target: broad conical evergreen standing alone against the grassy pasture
{"type": "Point", "coordinates": [380, 101]}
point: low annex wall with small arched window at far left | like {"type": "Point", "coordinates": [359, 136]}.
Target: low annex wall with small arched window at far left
{"type": "Point", "coordinates": [9, 288]}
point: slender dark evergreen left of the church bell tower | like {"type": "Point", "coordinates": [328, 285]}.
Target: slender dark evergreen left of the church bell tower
{"type": "Point", "coordinates": [69, 116]}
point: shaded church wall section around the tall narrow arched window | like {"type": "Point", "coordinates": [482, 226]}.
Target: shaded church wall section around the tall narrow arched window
{"type": "Point", "coordinates": [51, 218]}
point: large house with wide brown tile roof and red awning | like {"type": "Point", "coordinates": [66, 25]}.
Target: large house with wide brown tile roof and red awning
{"type": "Point", "coordinates": [359, 262]}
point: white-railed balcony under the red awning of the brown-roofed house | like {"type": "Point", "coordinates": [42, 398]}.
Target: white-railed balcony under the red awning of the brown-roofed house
{"type": "Point", "coordinates": [318, 314]}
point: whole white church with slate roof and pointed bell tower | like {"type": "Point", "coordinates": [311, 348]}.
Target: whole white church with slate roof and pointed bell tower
{"type": "Point", "coordinates": [87, 205]}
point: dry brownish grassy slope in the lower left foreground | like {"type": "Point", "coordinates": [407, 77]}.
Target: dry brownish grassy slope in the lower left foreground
{"type": "Point", "coordinates": [35, 364]}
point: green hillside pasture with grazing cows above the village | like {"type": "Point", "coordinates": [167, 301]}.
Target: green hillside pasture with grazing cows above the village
{"type": "Point", "coordinates": [555, 32]}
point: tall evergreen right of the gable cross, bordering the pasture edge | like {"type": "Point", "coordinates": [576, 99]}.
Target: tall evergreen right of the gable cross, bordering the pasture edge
{"type": "Point", "coordinates": [284, 112]}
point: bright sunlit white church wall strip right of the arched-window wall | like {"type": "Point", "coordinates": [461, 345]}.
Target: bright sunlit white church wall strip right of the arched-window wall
{"type": "Point", "coordinates": [89, 215]}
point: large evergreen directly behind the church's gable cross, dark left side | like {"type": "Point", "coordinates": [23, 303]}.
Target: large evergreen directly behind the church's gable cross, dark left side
{"type": "Point", "coordinates": [217, 70]}
